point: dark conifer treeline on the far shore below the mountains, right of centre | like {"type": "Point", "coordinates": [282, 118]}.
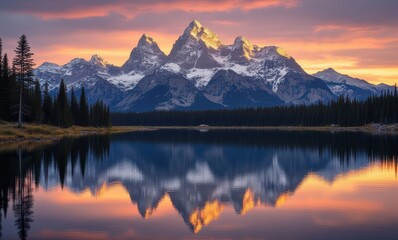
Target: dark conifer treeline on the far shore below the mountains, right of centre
{"type": "Point", "coordinates": [343, 112]}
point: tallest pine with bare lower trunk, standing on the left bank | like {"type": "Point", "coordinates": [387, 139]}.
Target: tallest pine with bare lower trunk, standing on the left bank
{"type": "Point", "coordinates": [23, 63]}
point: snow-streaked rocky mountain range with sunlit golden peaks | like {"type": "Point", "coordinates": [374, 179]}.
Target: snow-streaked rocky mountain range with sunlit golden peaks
{"type": "Point", "coordinates": [202, 73]}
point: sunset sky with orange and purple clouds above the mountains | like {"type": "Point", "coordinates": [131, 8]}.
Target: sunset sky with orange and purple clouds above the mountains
{"type": "Point", "coordinates": [355, 37]}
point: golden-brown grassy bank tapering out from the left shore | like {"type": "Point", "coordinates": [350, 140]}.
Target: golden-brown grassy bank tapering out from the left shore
{"type": "Point", "coordinates": [31, 132]}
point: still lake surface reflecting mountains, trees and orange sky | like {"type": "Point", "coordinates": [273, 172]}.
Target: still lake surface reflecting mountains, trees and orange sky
{"type": "Point", "coordinates": [187, 184]}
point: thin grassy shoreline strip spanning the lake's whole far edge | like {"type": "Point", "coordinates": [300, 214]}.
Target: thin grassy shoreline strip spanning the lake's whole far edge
{"type": "Point", "coordinates": [9, 133]}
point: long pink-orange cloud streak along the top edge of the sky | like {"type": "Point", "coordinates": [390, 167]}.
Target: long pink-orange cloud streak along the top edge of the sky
{"type": "Point", "coordinates": [133, 8]}
